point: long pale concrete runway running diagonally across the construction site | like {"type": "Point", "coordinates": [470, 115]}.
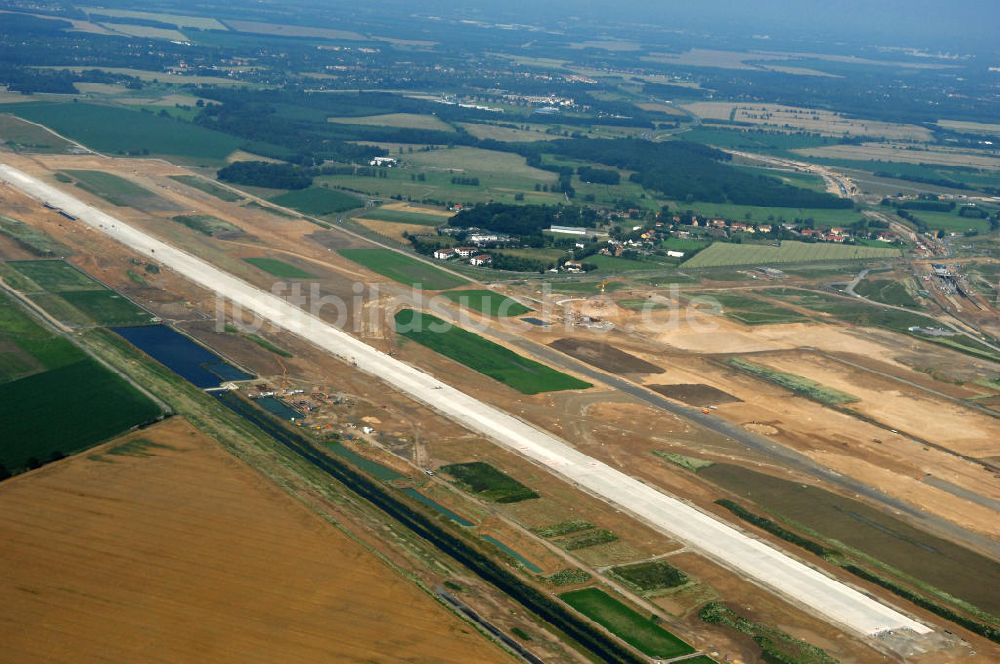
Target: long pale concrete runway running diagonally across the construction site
{"type": "Point", "coordinates": [767, 566]}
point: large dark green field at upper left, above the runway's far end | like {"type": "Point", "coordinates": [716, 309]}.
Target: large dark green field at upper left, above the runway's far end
{"type": "Point", "coordinates": [115, 130]}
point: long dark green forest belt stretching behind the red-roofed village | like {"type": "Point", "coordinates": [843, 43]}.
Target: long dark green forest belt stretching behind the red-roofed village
{"type": "Point", "coordinates": [280, 124]}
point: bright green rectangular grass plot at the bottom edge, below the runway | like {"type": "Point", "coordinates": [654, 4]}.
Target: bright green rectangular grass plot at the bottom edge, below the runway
{"type": "Point", "coordinates": [627, 624]}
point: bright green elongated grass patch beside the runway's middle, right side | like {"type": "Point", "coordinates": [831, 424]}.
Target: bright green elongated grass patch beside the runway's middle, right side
{"type": "Point", "coordinates": [493, 360]}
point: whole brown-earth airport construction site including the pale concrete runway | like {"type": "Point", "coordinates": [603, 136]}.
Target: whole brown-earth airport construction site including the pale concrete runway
{"type": "Point", "coordinates": [629, 456]}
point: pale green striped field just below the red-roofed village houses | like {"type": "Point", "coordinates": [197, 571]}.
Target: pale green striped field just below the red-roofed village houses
{"type": "Point", "coordinates": [724, 254]}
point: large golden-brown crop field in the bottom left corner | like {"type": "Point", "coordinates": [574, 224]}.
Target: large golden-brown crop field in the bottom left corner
{"type": "Point", "coordinates": [176, 551]}
